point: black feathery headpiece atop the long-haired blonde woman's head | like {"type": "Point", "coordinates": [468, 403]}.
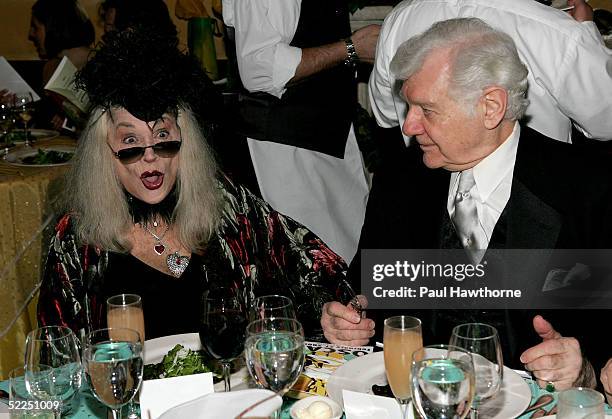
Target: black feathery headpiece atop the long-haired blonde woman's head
{"type": "Point", "coordinates": [143, 71]}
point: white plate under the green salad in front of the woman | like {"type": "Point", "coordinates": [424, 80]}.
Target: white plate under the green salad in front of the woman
{"type": "Point", "coordinates": [156, 349]}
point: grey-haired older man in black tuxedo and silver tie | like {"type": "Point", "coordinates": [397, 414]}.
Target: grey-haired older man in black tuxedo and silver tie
{"type": "Point", "coordinates": [485, 181]}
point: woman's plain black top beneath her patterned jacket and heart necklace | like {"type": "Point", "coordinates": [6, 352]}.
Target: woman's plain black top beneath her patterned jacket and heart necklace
{"type": "Point", "coordinates": [170, 303]}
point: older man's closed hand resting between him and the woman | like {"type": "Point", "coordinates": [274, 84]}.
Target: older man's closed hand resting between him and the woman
{"type": "Point", "coordinates": [344, 326]}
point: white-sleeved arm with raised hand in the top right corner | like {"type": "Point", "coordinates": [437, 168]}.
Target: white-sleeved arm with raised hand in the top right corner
{"type": "Point", "coordinates": [584, 81]}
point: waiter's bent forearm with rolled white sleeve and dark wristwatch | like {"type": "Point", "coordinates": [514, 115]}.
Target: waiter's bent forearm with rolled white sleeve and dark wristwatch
{"type": "Point", "coordinates": [267, 63]}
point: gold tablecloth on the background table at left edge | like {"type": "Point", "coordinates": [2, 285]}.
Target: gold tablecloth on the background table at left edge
{"type": "Point", "coordinates": [26, 195]}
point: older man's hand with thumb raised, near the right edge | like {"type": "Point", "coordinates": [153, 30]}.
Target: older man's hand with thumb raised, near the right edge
{"type": "Point", "coordinates": [556, 359]}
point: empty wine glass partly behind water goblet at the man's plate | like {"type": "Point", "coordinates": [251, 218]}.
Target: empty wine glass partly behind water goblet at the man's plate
{"type": "Point", "coordinates": [482, 341]}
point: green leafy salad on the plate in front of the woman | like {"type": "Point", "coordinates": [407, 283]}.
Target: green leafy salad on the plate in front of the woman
{"type": "Point", "coordinates": [179, 361]}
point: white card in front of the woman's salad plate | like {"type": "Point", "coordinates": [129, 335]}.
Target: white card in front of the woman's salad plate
{"type": "Point", "coordinates": [157, 396]}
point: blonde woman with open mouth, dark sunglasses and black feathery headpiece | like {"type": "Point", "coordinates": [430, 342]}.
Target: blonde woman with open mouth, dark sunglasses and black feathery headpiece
{"type": "Point", "coordinates": [147, 212]}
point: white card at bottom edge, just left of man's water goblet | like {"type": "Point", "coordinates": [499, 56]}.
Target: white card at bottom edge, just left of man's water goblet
{"type": "Point", "coordinates": [361, 405]}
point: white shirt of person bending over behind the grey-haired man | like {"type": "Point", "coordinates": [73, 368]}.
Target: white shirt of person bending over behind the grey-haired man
{"type": "Point", "coordinates": [570, 69]}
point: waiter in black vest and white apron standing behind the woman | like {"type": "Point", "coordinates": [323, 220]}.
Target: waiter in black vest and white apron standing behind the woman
{"type": "Point", "coordinates": [297, 60]}
